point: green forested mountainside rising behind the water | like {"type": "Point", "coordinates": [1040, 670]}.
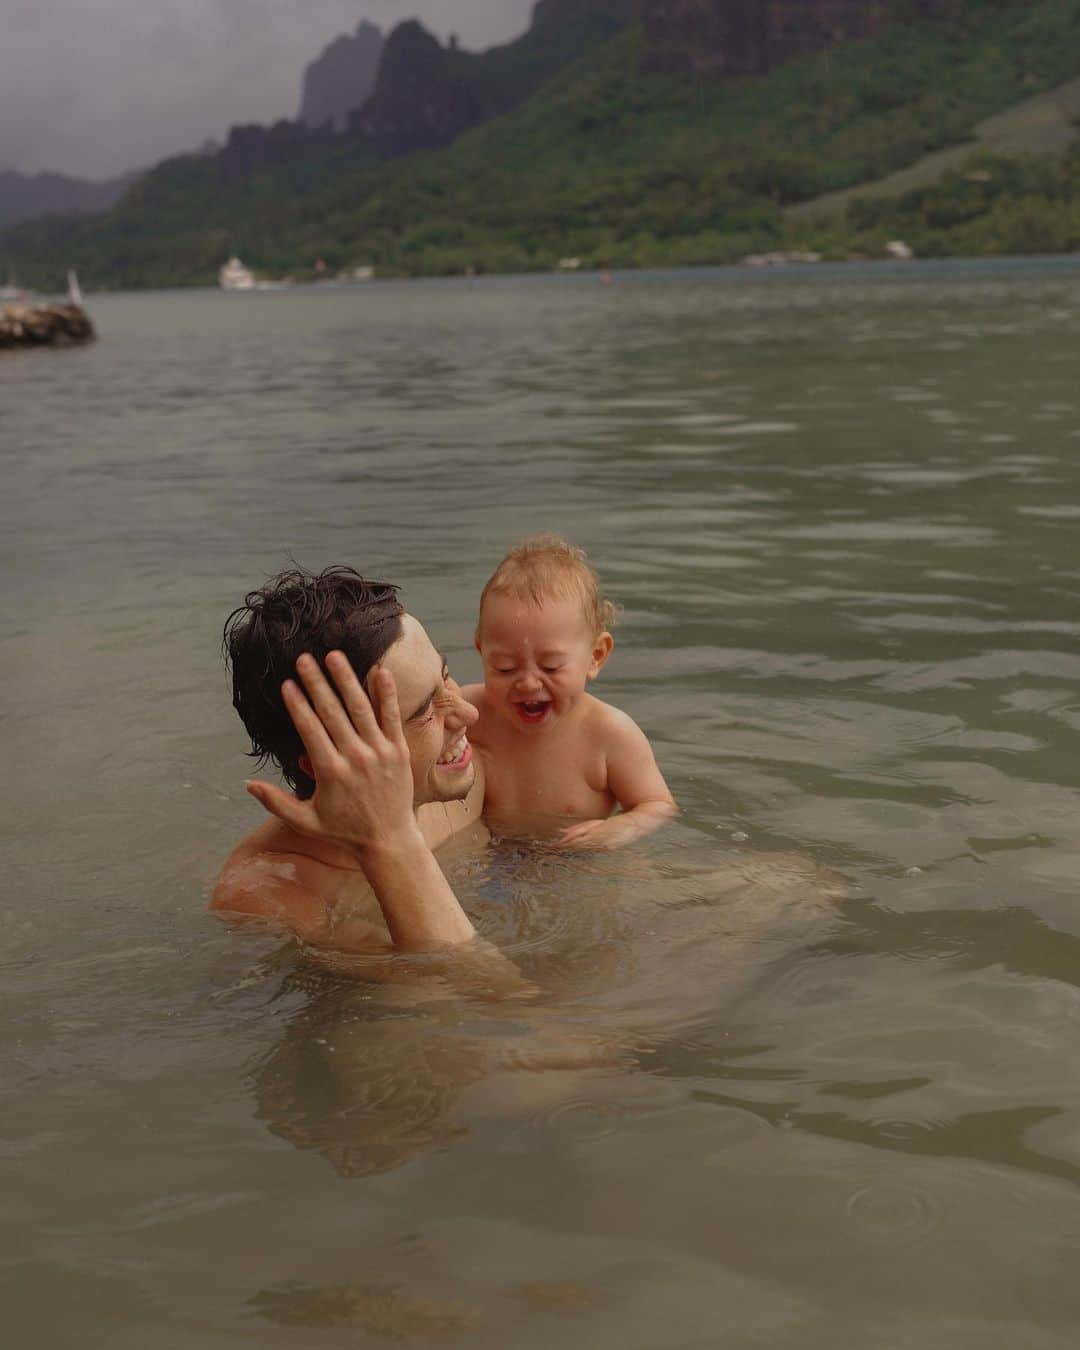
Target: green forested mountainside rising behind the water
{"type": "Point", "coordinates": [680, 133]}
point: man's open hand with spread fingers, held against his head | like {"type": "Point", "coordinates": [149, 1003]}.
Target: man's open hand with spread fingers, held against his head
{"type": "Point", "coordinates": [360, 762]}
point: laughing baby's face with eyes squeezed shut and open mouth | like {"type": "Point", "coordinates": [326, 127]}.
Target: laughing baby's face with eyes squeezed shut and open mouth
{"type": "Point", "coordinates": [538, 658]}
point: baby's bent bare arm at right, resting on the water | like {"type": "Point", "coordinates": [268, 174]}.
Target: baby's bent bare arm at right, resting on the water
{"type": "Point", "coordinates": [635, 782]}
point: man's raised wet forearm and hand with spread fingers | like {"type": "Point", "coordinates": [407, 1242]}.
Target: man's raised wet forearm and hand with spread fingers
{"type": "Point", "coordinates": [364, 800]}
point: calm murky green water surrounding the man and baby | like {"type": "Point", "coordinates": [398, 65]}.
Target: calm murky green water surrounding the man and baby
{"type": "Point", "coordinates": [839, 508]}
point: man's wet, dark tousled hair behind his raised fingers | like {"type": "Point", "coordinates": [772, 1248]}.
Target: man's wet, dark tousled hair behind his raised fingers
{"type": "Point", "coordinates": [300, 612]}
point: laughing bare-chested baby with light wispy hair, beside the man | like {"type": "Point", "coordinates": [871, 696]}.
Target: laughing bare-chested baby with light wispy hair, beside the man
{"type": "Point", "coordinates": [549, 749]}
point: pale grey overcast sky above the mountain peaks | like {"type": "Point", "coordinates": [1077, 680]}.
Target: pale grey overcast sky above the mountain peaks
{"type": "Point", "coordinates": [94, 88]}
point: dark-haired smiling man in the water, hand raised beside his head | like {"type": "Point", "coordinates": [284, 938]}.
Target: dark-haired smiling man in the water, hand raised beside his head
{"type": "Point", "coordinates": [381, 777]}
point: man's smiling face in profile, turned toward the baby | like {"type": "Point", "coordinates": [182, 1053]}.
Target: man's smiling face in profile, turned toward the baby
{"type": "Point", "coordinates": [435, 718]}
